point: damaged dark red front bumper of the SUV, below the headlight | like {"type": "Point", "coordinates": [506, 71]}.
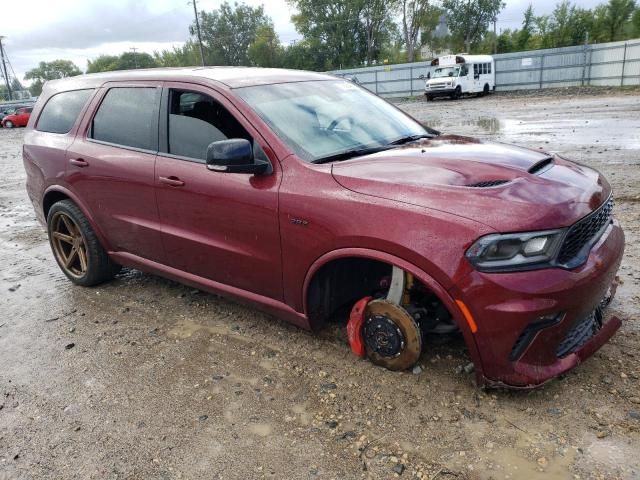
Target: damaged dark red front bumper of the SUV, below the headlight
{"type": "Point", "coordinates": [505, 305]}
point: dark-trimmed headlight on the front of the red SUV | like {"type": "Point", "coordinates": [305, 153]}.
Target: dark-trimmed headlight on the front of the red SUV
{"type": "Point", "coordinates": [515, 251]}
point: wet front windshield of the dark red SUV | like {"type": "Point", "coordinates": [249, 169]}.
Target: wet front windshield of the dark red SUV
{"type": "Point", "coordinates": [320, 119]}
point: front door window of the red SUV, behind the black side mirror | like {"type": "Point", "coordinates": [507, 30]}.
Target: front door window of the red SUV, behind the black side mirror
{"type": "Point", "coordinates": [196, 120]}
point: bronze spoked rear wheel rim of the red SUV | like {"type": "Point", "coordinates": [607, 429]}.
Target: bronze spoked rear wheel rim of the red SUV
{"type": "Point", "coordinates": [69, 245]}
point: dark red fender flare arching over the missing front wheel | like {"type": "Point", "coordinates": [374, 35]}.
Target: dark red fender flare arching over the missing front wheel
{"type": "Point", "coordinates": [418, 273]}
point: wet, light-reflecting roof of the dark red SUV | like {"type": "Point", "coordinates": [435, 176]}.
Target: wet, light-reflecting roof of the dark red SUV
{"type": "Point", "coordinates": [231, 77]}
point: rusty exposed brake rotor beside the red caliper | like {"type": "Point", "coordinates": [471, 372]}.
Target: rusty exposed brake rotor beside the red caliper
{"type": "Point", "coordinates": [392, 337]}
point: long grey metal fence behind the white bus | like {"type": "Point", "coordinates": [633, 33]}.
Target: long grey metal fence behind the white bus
{"type": "Point", "coordinates": [606, 64]}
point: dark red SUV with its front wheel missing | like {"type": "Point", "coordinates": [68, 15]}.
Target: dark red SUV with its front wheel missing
{"type": "Point", "coordinates": [312, 198]}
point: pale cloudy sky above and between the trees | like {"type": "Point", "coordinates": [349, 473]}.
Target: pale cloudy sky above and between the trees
{"type": "Point", "coordinates": [80, 30]}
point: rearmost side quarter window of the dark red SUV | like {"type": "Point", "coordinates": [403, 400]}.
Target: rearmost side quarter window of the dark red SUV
{"type": "Point", "coordinates": [61, 111]}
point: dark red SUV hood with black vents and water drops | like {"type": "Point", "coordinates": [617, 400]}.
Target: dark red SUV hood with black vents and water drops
{"type": "Point", "coordinates": [450, 173]}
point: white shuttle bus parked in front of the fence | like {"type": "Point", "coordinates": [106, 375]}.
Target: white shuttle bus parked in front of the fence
{"type": "Point", "coordinates": [457, 75]}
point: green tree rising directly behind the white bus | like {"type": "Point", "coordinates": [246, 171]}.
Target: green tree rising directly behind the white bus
{"type": "Point", "coordinates": [469, 19]}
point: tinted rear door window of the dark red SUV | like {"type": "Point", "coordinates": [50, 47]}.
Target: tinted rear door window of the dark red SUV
{"type": "Point", "coordinates": [129, 117]}
